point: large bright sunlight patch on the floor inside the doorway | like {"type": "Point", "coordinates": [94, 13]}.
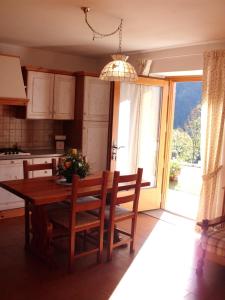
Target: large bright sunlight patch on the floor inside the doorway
{"type": "Point", "coordinates": [162, 268]}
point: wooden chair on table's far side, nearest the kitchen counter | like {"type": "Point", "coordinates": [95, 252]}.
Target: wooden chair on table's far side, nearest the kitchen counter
{"type": "Point", "coordinates": [27, 168]}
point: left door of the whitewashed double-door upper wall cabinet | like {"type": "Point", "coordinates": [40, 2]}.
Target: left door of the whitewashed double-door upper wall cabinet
{"type": "Point", "coordinates": [40, 94]}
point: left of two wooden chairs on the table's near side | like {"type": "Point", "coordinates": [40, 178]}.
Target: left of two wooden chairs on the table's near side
{"type": "Point", "coordinates": [76, 219]}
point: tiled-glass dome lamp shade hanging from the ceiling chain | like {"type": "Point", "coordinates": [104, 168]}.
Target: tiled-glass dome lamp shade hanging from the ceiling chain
{"type": "Point", "coordinates": [119, 70]}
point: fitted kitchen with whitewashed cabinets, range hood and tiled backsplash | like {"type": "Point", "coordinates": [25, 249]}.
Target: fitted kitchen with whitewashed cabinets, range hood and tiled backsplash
{"type": "Point", "coordinates": [50, 122]}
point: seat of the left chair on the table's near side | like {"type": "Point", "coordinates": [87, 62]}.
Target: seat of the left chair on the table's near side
{"type": "Point", "coordinates": [62, 217]}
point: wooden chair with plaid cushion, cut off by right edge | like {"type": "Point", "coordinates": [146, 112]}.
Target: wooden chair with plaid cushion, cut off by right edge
{"type": "Point", "coordinates": [212, 243]}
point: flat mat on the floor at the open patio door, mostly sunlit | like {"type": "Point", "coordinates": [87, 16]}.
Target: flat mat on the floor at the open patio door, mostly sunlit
{"type": "Point", "coordinates": [170, 218]}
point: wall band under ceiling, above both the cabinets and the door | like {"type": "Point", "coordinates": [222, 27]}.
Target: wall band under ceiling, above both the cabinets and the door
{"type": "Point", "coordinates": [169, 60]}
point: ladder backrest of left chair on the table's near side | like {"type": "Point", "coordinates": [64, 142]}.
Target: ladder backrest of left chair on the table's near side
{"type": "Point", "coordinates": [89, 203]}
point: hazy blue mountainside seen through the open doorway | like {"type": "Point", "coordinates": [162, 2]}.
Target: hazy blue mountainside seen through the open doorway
{"type": "Point", "coordinates": [188, 95]}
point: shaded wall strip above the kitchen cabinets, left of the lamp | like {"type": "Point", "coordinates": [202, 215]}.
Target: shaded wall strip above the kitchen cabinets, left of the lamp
{"type": "Point", "coordinates": [49, 59]}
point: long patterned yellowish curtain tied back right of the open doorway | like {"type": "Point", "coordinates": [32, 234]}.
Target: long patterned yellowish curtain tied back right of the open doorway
{"type": "Point", "coordinates": [213, 114]}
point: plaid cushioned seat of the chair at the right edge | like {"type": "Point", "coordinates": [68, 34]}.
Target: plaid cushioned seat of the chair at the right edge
{"type": "Point", "coordinates": [214, 242]}
